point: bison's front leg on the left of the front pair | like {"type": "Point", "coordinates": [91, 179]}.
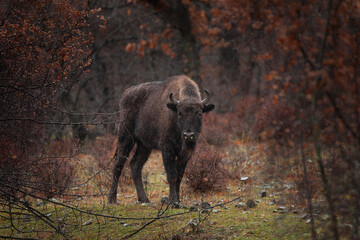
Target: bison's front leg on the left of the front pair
{"type": "Point", "coordinates": [172, 174]}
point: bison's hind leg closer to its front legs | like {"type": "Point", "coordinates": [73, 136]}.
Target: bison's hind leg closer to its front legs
{"type": "Point", "coordinates": [141, 155]}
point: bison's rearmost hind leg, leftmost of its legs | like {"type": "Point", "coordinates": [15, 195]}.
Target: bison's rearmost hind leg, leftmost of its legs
{"type": "Point", "coordinates": [123, 149]}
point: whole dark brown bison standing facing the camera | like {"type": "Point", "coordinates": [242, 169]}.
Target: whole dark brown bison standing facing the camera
{"type": "Point", "coordinates": [166, 116]}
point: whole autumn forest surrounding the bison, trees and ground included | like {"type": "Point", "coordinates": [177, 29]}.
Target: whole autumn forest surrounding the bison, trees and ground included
{"type": "Point", "coordinates": [278, 157]}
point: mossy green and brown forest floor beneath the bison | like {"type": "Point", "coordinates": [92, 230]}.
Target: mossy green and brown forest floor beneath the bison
{"type": "Point", "coordinates": [226, 214]}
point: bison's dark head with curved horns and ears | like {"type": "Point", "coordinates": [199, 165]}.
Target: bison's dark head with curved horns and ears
{"type": "Point", "coordinates": [189, 115]}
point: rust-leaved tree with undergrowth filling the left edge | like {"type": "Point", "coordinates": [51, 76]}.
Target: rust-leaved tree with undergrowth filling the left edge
{"type": "Point", "coordinates": [45, 47]}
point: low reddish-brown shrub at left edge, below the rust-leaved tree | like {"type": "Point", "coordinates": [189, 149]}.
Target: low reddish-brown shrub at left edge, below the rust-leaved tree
{"type": "Point", "coordinates": [45, 175]}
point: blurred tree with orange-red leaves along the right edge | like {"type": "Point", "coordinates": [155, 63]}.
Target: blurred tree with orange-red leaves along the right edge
{"type": "Point", "coordinates": [320, 80]}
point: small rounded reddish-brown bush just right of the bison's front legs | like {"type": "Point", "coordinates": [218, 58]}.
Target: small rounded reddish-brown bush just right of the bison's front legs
{"type": "Point", "coordinates": [205, 171]}
